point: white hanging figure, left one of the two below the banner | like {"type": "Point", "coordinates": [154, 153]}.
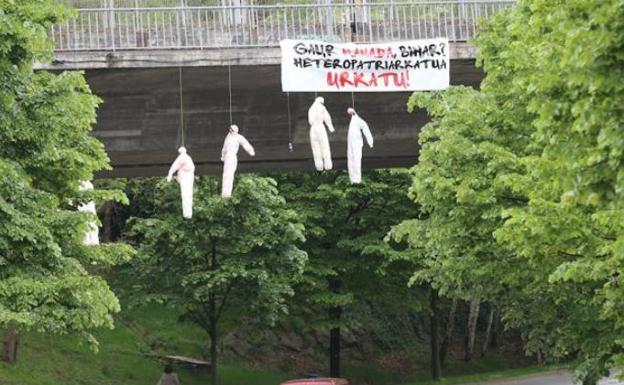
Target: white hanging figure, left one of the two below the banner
{"type": "Point", "coordinates": [318, 117]}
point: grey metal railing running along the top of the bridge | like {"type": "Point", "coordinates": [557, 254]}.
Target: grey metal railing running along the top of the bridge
{"type": "Point", "coordinates": [199, 27]}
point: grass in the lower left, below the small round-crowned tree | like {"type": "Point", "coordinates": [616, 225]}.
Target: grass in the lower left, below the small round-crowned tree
{"type": "Point", "coordinates": [66, 360]}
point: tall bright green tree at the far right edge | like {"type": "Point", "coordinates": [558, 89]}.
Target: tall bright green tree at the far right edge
{"type": "Point", "coordinates": [572, 224]}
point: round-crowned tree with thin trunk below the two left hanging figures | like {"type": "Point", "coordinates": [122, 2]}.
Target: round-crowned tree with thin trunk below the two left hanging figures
{"type": "Point", "coordinates": [236, 255]}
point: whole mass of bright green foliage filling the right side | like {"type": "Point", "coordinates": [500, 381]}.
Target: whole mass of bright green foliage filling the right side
{"type": "Point", "coordinates": [523, 183]}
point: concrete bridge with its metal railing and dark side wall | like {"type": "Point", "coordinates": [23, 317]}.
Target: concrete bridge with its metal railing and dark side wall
{"type": "Point", "coordinates": [135, 56]}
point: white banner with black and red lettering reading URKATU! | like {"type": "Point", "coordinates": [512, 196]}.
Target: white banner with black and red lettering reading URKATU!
{"type": "Point", "coordinates": [315, 66]}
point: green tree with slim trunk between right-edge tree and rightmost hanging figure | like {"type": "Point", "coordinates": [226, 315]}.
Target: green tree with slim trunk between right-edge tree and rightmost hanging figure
{"type": "Point", "coordinates": [452, 247]}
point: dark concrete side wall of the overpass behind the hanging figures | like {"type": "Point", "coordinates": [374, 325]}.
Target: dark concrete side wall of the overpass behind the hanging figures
{"type": "Point", "coordinates": [140, 118]}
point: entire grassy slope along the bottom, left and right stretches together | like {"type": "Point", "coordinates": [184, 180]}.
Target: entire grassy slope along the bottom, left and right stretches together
{"type": "Point", "coordinates": [45, 360]}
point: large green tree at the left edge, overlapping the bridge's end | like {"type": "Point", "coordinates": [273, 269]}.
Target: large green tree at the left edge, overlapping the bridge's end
{"type": "Point", "coordinates": [46, 273]}
